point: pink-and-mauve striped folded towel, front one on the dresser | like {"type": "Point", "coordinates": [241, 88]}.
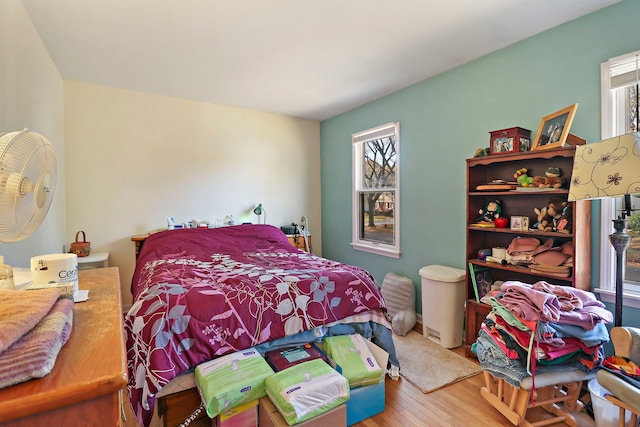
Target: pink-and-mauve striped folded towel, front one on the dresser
{"type": "Point", "coordinates": [34, 354]}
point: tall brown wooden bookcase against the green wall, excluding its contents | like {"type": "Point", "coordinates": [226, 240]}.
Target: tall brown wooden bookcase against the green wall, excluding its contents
{"type": "Point", "coordinates": [521, 203]}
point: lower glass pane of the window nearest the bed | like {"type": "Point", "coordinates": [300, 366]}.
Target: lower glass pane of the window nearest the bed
{"type": "Point", "coordinates": [377, 217]}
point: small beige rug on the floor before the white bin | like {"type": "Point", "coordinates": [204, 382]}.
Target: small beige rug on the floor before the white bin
{"type": "Point", "coordinates": [429, 366]}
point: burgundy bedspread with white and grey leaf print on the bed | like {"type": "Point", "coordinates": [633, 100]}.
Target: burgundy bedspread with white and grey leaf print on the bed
{"type": "Point", "coordinates": [202, 293]}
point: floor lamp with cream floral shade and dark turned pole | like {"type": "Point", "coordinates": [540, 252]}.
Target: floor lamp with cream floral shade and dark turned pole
{"type": "Point", "coordinates": [610, 168]}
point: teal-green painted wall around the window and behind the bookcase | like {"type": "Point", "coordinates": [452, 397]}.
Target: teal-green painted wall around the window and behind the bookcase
{"type": "Point", "coordinates": [444, 119]}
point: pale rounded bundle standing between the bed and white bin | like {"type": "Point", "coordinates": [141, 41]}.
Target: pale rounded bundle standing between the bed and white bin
{"type": "Point", "coordinates": [400, 297]}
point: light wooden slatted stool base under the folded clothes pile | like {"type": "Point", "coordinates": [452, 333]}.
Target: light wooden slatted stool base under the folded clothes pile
{"type": "Point", "coordinates": [551, 389]}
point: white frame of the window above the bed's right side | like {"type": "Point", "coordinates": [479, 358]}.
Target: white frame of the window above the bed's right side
{"type": "Point", "coordinates": [358, 141]}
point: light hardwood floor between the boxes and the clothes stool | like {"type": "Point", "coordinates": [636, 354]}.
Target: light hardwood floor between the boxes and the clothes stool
{"type": "Point", "coordinates": [459, 404]}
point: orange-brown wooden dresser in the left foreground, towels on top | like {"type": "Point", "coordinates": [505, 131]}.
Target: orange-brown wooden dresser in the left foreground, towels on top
{"type": "Point", "coordinates": [85, 384]}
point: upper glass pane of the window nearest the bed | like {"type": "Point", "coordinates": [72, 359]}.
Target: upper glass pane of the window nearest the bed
{"type": "Point", "coordinates": [379, 163]}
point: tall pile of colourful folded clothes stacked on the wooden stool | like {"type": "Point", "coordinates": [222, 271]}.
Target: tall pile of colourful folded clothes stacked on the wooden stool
{"type": "Point", "coordinates": [541, 328]}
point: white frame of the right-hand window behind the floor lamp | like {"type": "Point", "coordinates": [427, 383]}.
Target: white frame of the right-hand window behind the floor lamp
{"type": "Point", "coordinates": [611, 127]}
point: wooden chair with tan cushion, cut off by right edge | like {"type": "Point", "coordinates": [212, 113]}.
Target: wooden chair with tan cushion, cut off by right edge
{"type": "Point", "coordinates": [626, 342]}
